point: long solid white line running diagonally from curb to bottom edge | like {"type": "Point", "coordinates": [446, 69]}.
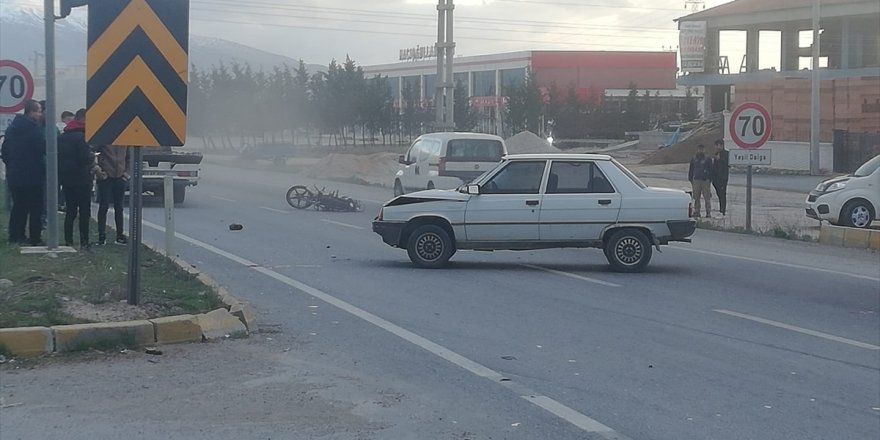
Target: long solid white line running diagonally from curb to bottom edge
{"type": "Point", "coordinates": [556, 408]}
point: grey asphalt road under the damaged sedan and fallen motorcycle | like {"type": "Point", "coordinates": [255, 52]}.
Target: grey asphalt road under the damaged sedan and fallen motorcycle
{"type": "Point", "coordinates": [730, 337]}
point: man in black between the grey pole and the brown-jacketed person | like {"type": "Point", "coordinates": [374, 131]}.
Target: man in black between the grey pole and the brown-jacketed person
{"type": "Point", "coordinates": [75, 162]}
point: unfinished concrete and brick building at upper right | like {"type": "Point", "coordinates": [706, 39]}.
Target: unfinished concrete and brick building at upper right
{"type": "Point", "coordinates": [777, 74]}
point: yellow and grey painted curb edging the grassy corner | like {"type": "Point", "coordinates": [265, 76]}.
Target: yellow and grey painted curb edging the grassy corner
{"type": "Point", "coordinates": [236, 319]}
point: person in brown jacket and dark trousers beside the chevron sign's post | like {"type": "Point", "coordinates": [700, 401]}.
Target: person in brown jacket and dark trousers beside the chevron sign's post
{"type": "Point", "coordinates": [113, 163]}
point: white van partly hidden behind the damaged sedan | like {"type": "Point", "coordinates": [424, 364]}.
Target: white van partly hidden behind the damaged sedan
{"type": "Point", "coordinates": [447, 160]}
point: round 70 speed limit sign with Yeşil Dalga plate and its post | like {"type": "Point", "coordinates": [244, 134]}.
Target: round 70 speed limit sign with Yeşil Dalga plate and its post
{"type": "Point", "coordinates": [750, 127]}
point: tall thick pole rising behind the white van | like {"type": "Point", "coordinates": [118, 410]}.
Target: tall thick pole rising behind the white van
{"type": "Point", "coordinates": [444, 95]}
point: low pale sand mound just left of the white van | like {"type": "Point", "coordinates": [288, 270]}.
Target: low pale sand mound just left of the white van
{"type": "Point", "coordinates": [373, 169]}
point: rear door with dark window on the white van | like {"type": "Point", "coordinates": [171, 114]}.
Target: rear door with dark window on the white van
{"type": "Point", "coordinates": [467, 159]}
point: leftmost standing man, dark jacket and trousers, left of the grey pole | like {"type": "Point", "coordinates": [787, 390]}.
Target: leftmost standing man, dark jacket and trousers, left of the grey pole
{"type": "Point", "coordinates": [24, 152]}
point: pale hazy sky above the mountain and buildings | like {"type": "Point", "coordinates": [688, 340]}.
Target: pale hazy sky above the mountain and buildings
{"type": "Point", "coordinates": [372, 31]}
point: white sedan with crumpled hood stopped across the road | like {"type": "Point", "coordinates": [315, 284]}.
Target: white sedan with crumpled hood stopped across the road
{"type": "Point", "coordinates": [541, 201]}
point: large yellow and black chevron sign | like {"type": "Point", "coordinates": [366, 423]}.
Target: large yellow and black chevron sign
{"type": "Point", "coordinates": [137, 72]}
